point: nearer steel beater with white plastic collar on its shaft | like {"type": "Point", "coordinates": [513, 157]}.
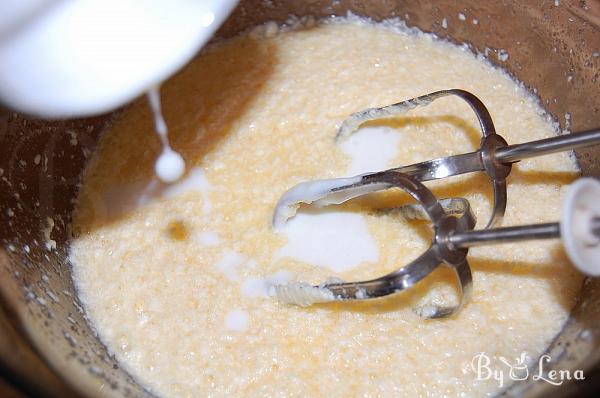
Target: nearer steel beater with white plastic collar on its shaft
{"type": "Point", "coordinates": [453, 223]}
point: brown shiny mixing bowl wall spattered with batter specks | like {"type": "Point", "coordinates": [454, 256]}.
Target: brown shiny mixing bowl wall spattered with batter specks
{"type": "Point", "coordinates": [48, 348]}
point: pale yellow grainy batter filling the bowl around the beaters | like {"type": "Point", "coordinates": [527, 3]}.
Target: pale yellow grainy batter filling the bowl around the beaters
{"type": "Point", "coordinates": [174, 277]}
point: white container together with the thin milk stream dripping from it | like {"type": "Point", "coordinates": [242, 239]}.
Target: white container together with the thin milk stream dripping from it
{"type": "Point", "coordinates": [62, 59]}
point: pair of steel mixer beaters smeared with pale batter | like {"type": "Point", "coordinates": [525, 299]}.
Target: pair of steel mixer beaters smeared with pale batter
{"type": "Point", "coordinates": [452, 219]}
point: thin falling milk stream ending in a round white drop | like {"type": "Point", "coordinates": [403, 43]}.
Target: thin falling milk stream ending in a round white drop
{"type": "Point", "coordinates": [169, 166]}
